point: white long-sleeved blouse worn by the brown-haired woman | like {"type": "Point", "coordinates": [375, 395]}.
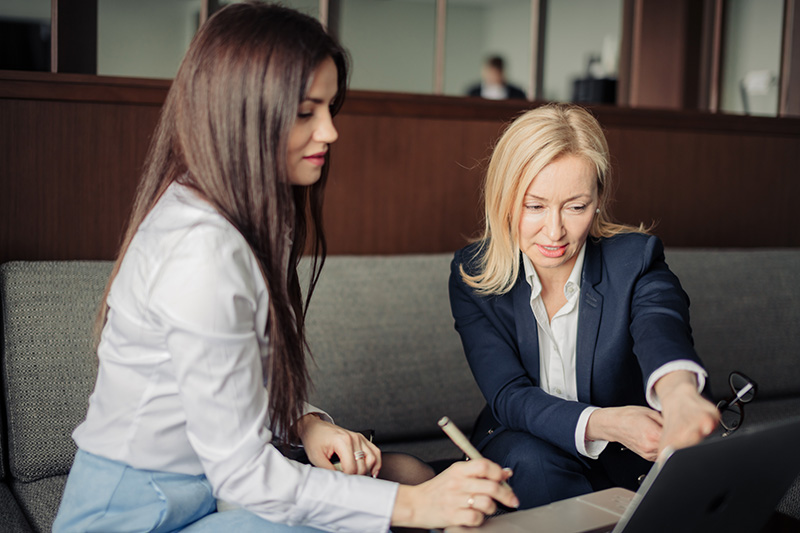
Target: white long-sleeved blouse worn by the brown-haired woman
{"type": "Point", "coordinates": [180, 384]}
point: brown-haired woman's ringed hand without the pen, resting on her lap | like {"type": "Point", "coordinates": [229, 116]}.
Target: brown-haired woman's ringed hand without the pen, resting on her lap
{"type": "Point", "coordinates": [321, 439]}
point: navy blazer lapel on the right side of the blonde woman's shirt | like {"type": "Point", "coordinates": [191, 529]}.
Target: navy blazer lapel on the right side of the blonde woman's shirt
{"type": "Point", "coordinates": [591, 309]}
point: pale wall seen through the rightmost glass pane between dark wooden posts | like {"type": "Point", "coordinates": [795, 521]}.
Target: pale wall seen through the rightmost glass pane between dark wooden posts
{"type": "Point", "coordinates": [752, 43]}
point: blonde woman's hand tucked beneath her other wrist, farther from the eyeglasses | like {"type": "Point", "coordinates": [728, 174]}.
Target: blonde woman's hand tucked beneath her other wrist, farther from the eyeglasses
{"type": "Point", "coordinates": [635, 427]}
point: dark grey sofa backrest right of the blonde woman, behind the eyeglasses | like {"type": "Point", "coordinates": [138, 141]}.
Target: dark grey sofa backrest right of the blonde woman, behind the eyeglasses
{"type": "Point", "coordinates": [744, 311]}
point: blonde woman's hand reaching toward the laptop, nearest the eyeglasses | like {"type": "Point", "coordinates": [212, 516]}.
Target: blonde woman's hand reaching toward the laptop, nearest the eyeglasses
{"type": "Point", "coordinates": [688, 417]}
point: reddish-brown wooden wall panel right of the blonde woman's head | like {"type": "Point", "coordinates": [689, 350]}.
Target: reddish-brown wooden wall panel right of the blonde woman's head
{"type": "Point", "coordinates": [708, 188]}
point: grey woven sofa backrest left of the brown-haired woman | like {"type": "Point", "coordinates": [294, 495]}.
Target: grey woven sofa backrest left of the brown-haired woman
{"type": "Point", "coordinates": [49, 364]}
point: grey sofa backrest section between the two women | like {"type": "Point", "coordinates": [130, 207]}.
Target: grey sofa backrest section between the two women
{"type": "Point", "coordinates": [387, 355]}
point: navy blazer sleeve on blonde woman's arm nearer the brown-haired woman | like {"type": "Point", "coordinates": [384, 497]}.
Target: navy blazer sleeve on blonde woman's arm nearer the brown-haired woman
{"type": "Point", "coordinates": [515, 399]}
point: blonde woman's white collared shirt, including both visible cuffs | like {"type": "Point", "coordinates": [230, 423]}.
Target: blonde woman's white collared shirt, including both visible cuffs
{"type": "Point", "coordinates": [558, 348]}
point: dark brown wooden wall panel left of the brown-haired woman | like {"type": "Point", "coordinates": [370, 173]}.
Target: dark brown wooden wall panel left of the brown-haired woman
{"type": "Point", "coordinates": [68, 171]}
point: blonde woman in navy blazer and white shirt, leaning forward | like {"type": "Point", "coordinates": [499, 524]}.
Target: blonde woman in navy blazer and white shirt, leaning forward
{"type": "Point", "coordinates": [574, 327]}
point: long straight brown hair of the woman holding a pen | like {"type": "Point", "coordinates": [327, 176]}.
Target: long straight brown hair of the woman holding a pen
{"type": "Point", "coordinates": [223, 131]}
